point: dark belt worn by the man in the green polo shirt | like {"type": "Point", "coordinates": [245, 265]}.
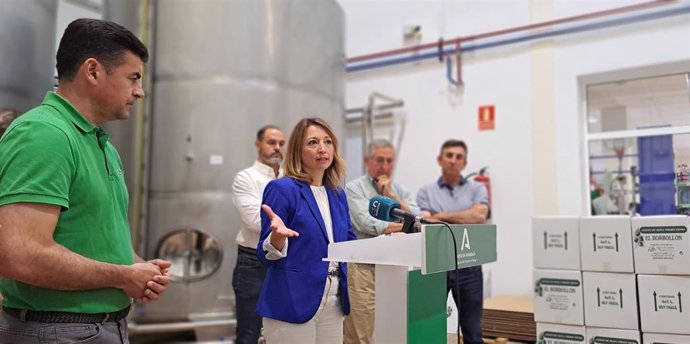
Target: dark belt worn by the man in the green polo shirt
{"type": "Point", "coordinates": [65, 317]}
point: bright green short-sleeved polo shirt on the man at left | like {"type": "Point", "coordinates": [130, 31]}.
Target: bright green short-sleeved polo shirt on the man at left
{"type": "Point", "coordinates": [53, 155]}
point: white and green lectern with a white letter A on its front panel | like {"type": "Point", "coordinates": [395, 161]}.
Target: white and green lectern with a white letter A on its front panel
{"type": "Point", "coordinates": [410, 276]}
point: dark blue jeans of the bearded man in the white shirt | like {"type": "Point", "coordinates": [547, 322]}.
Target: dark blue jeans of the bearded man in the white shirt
{"type": "Point", "coordinates": [247, 279]}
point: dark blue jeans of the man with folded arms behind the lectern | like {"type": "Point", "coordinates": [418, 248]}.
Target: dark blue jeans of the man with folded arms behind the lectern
{"type": "Point", "coordinates": [468, 292]}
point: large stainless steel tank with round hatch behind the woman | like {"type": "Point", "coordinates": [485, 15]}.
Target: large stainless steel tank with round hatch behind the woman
{"type": "Point", "coordinates": [222, 69]}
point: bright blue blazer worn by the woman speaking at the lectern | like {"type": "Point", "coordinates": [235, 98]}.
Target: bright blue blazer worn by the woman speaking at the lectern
{"type": "Point", "coordinates": [294, 285]}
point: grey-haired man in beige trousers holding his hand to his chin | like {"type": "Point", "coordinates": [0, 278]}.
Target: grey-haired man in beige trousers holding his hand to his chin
{"type": "Point", "coordinates": [359, 325]}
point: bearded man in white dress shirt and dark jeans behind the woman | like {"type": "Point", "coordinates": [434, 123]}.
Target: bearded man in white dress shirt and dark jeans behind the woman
{"type": "Point", "coordinates": [248, 189]}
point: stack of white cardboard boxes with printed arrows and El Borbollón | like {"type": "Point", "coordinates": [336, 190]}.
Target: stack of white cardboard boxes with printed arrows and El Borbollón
{"type": "Point", "coordinates": [624, 282]}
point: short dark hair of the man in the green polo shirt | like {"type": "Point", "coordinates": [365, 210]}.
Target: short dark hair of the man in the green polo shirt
{"type": "Point", "coordinates": [103, 40]}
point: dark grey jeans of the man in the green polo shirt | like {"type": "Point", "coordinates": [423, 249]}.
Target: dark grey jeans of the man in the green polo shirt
{"type": "Point", "coordinates": [13, 330]}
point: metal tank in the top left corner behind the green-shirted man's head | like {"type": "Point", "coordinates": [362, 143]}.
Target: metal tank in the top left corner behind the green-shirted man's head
{"type": "Point", "coordinates": [27, 52]}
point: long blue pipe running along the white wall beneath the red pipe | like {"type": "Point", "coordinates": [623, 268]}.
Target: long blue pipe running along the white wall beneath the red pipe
{"type": "Point", "coordinates": [581, 28]}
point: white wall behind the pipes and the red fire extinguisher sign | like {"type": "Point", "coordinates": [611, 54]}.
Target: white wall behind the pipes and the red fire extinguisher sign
{"type": "Point", "coordinates": [531, 85]}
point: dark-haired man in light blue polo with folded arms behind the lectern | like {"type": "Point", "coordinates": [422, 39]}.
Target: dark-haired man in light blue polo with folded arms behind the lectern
{"type": "Point", "coordinates": [454, 199]}
